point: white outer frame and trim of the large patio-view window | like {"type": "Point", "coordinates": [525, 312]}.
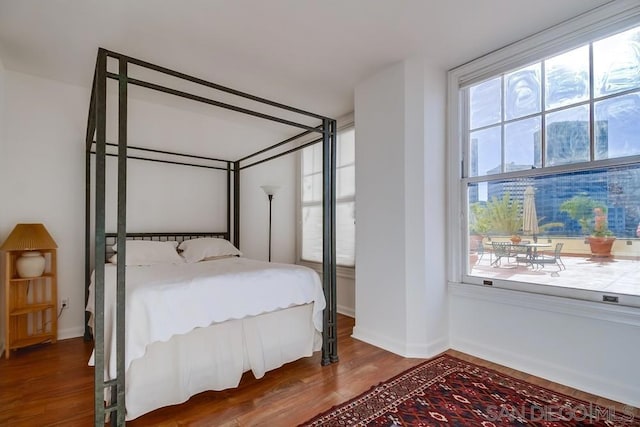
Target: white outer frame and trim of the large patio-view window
{"type": "Point", "coordinates": [598, 23]}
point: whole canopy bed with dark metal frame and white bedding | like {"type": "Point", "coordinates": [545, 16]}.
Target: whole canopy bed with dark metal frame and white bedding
{"type": "Point", "coordinates": [157, 276]}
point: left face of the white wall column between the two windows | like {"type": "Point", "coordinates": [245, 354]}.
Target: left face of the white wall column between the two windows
{"type": "Point", "coordinates": [380, 252]}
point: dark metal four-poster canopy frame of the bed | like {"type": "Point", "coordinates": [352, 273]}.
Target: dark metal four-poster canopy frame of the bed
{"type": "Point", "coordinates": [97, 145]}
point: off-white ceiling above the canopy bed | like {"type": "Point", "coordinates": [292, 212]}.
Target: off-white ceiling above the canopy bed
{"type": "Point", "coordinates": [306, 53]}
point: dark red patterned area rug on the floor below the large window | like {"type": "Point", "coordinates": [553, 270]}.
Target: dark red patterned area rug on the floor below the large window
{"type": "Point", "coordinates": [447, 391]}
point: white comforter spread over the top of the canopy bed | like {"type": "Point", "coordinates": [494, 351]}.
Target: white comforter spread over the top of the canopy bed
{"type": "Point", "coordinates": [167, 300]}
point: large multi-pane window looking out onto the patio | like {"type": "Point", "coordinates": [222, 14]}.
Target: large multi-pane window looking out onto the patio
{"type": "Point", "coordinates": [551, 155]}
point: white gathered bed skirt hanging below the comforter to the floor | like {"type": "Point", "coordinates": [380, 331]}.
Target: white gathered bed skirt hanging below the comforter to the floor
{"type": "Point", "coordinates": [215, 357]}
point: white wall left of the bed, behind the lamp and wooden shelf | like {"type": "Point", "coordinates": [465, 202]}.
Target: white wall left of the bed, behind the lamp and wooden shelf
{"type": "Point", "coordinates": [44, 170]}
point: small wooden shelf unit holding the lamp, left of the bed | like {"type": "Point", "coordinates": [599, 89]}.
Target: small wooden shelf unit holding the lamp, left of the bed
{"type": "Point", "coordinates": [30, 312]}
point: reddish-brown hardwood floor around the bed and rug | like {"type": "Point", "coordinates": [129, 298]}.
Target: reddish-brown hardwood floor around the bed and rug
{"type": "Point", "coordinates": [51, 385]}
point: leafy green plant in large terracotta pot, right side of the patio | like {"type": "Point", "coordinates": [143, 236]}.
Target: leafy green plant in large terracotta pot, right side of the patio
{"type": "Point", "coordinates": [592, 217]}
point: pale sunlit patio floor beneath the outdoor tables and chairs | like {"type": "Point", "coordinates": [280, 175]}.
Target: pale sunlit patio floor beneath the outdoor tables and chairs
{"type": "Point", "coordinates": [610, 275]}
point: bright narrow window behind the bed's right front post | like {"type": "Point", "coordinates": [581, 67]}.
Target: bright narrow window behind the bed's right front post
{"type": "Point", "coordinates": [345, 200]}
